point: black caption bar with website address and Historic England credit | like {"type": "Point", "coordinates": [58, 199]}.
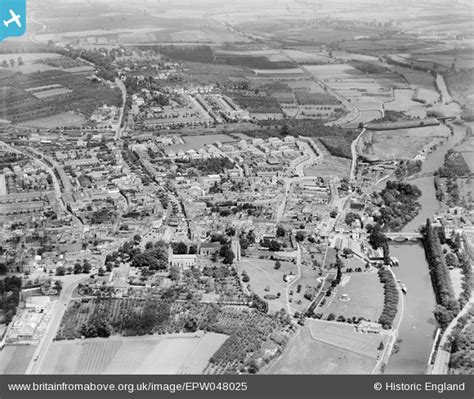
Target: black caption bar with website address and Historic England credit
{"type": "Point", "coordinates": [260, 386]}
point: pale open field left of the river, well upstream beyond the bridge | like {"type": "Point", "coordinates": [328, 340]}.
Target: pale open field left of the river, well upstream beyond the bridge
{"type": "Point", "coordinates": [401, 143]}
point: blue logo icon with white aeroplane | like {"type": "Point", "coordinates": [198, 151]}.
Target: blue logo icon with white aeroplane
{"type": "Point", "coordinates": [12, 18]}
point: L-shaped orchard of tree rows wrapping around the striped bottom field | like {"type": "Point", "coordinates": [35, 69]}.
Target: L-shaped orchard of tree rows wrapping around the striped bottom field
{"type": "Point", "coordinates": [249, 330]}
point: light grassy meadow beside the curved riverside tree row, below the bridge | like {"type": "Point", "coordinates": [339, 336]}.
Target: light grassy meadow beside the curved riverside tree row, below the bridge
{"type": "Point", "coordinates": [366, 297]}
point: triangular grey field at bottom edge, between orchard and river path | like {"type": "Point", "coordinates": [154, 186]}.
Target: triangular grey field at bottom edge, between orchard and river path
{"type": "Point", "coordinates": [305, 355]}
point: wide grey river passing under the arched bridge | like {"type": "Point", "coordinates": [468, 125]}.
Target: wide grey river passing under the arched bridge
{"type": "Point", "coordinates": [418, 325]}
